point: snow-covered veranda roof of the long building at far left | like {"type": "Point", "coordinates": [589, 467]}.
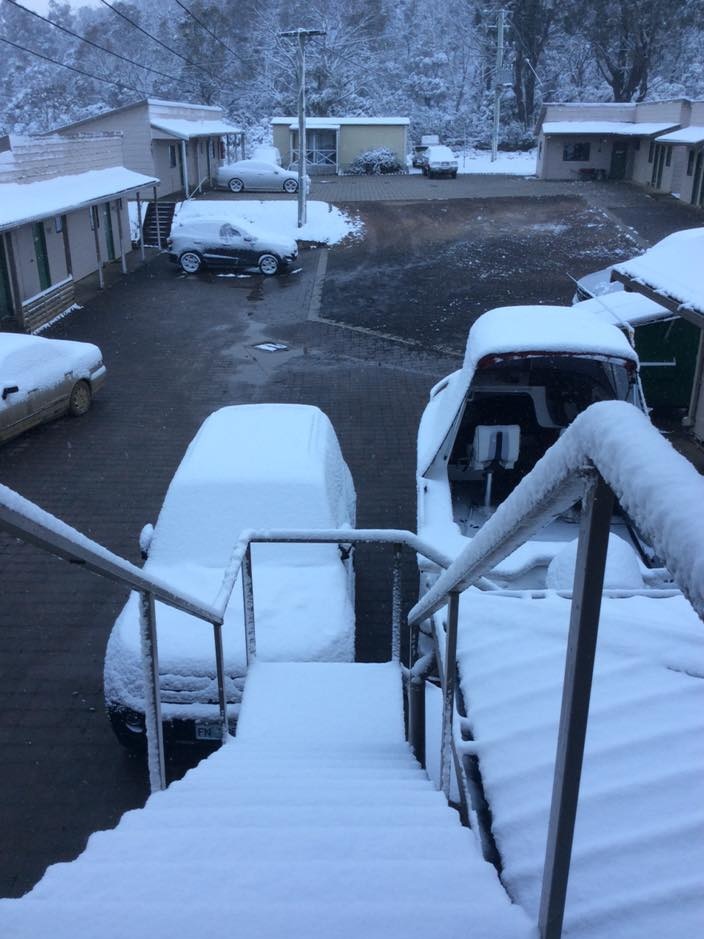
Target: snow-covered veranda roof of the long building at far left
{"type": "Point", "coordinates": [27, 202]}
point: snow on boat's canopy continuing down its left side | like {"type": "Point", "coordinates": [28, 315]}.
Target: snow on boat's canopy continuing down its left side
{"type": "Point", "coordinates": [551, 330]}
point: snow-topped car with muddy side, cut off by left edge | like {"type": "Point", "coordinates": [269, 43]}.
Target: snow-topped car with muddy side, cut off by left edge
{"type": "Point", "coordinates": [44, 378]}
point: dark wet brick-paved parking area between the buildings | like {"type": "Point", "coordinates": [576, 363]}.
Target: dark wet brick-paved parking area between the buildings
{"type": "Point", "coordinates": [368, 327]}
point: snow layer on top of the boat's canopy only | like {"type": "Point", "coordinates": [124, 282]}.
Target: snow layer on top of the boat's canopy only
{"type": "Point", "coordinates": [553, 329]}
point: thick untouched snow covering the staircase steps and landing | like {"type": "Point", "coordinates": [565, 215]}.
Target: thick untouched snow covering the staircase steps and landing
{"type": "Point", "coordinates": [314, 821]}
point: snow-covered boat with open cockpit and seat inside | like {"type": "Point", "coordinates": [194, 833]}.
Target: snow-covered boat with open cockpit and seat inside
{"type": "Point", "coordinates": [527, 373]}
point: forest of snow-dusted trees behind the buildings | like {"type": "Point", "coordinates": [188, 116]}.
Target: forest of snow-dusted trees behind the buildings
{"type": "Point", "coordinates": [433, 61]}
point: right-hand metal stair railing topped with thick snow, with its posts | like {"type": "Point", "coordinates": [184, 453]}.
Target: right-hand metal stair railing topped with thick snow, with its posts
{"type": "Point", "coordinates": [593, 461]}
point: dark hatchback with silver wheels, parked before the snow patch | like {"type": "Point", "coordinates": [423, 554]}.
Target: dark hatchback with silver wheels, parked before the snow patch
{"type": "Point", "coordinates": [199, 242]}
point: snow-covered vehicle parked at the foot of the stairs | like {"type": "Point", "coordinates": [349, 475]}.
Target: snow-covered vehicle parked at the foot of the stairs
{"type": "Point", "coordinates": [249, 467]}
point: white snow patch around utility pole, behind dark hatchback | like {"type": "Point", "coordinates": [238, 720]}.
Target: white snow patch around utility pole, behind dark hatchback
{"type": "Point", "coordinates": [326, 223]}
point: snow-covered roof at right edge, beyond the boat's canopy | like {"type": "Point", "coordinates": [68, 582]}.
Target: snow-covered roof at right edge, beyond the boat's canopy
{"type": "Point", "coordinates": [672, 268]}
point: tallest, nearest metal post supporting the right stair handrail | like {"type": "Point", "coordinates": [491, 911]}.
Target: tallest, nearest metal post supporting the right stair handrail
{"type": "Point", "coordinates": [597, 507]}
